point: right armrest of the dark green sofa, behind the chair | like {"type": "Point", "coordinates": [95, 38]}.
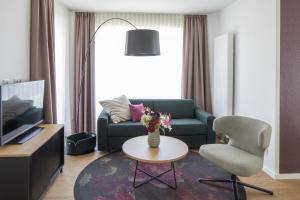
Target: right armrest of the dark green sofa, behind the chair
{"type": "Point", "coordinates": [208, 119]}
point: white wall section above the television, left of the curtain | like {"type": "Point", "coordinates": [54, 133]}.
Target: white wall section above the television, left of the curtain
{"type": "Point", "coordinates": [14, 39]}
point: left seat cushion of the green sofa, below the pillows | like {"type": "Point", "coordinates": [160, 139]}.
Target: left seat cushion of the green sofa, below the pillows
{"type": "Point", "coordinates": [126, 129]}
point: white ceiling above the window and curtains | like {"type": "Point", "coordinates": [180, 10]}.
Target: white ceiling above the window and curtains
{"type": "Point", "coordinates": [148, 6]}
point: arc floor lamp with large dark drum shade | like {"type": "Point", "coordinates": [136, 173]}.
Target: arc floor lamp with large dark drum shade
{"type": "Point", "coordinates": [139, 42]}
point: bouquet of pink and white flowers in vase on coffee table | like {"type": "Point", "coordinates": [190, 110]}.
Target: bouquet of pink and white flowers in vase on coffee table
{"type": "Point", "coordinates": [156, 123]}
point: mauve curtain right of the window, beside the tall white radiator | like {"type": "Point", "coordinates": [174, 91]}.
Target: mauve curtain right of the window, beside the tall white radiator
{"type": "Point", "coordinates": [195, 72]}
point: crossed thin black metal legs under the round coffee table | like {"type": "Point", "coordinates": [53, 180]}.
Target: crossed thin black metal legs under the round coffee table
{"type": "Point", "coordinates": [155, 177]}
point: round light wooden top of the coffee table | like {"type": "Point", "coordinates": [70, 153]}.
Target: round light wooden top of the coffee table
{"type": "Point", "coordinates": [169, 150]}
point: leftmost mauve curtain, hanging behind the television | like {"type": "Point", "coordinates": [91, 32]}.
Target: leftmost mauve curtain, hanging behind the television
{"type": "Point", "coordinates": [42, 58]}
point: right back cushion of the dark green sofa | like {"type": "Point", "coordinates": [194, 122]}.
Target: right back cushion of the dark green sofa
{"type": "Point", "coordinates": [178, 108]}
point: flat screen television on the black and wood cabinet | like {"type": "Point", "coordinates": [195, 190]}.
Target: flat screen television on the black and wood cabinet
{"type": "Point", "coordinates": [21, 109]}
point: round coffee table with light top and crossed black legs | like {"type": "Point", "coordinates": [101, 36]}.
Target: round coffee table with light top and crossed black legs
{"type": "Point", "coordinates": [169, 151]}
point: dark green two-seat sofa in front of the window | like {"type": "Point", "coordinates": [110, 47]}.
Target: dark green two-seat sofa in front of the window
{"type": "Point", "coordinates": [189, 124]}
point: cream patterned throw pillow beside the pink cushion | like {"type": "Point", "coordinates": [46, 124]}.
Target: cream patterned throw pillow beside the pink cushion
{"type": "Point", "coordinates": [117, 108]}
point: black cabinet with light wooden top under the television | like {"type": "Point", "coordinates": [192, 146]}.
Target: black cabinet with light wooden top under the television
{"type": "Point", "coordinates": [27, 170]}
